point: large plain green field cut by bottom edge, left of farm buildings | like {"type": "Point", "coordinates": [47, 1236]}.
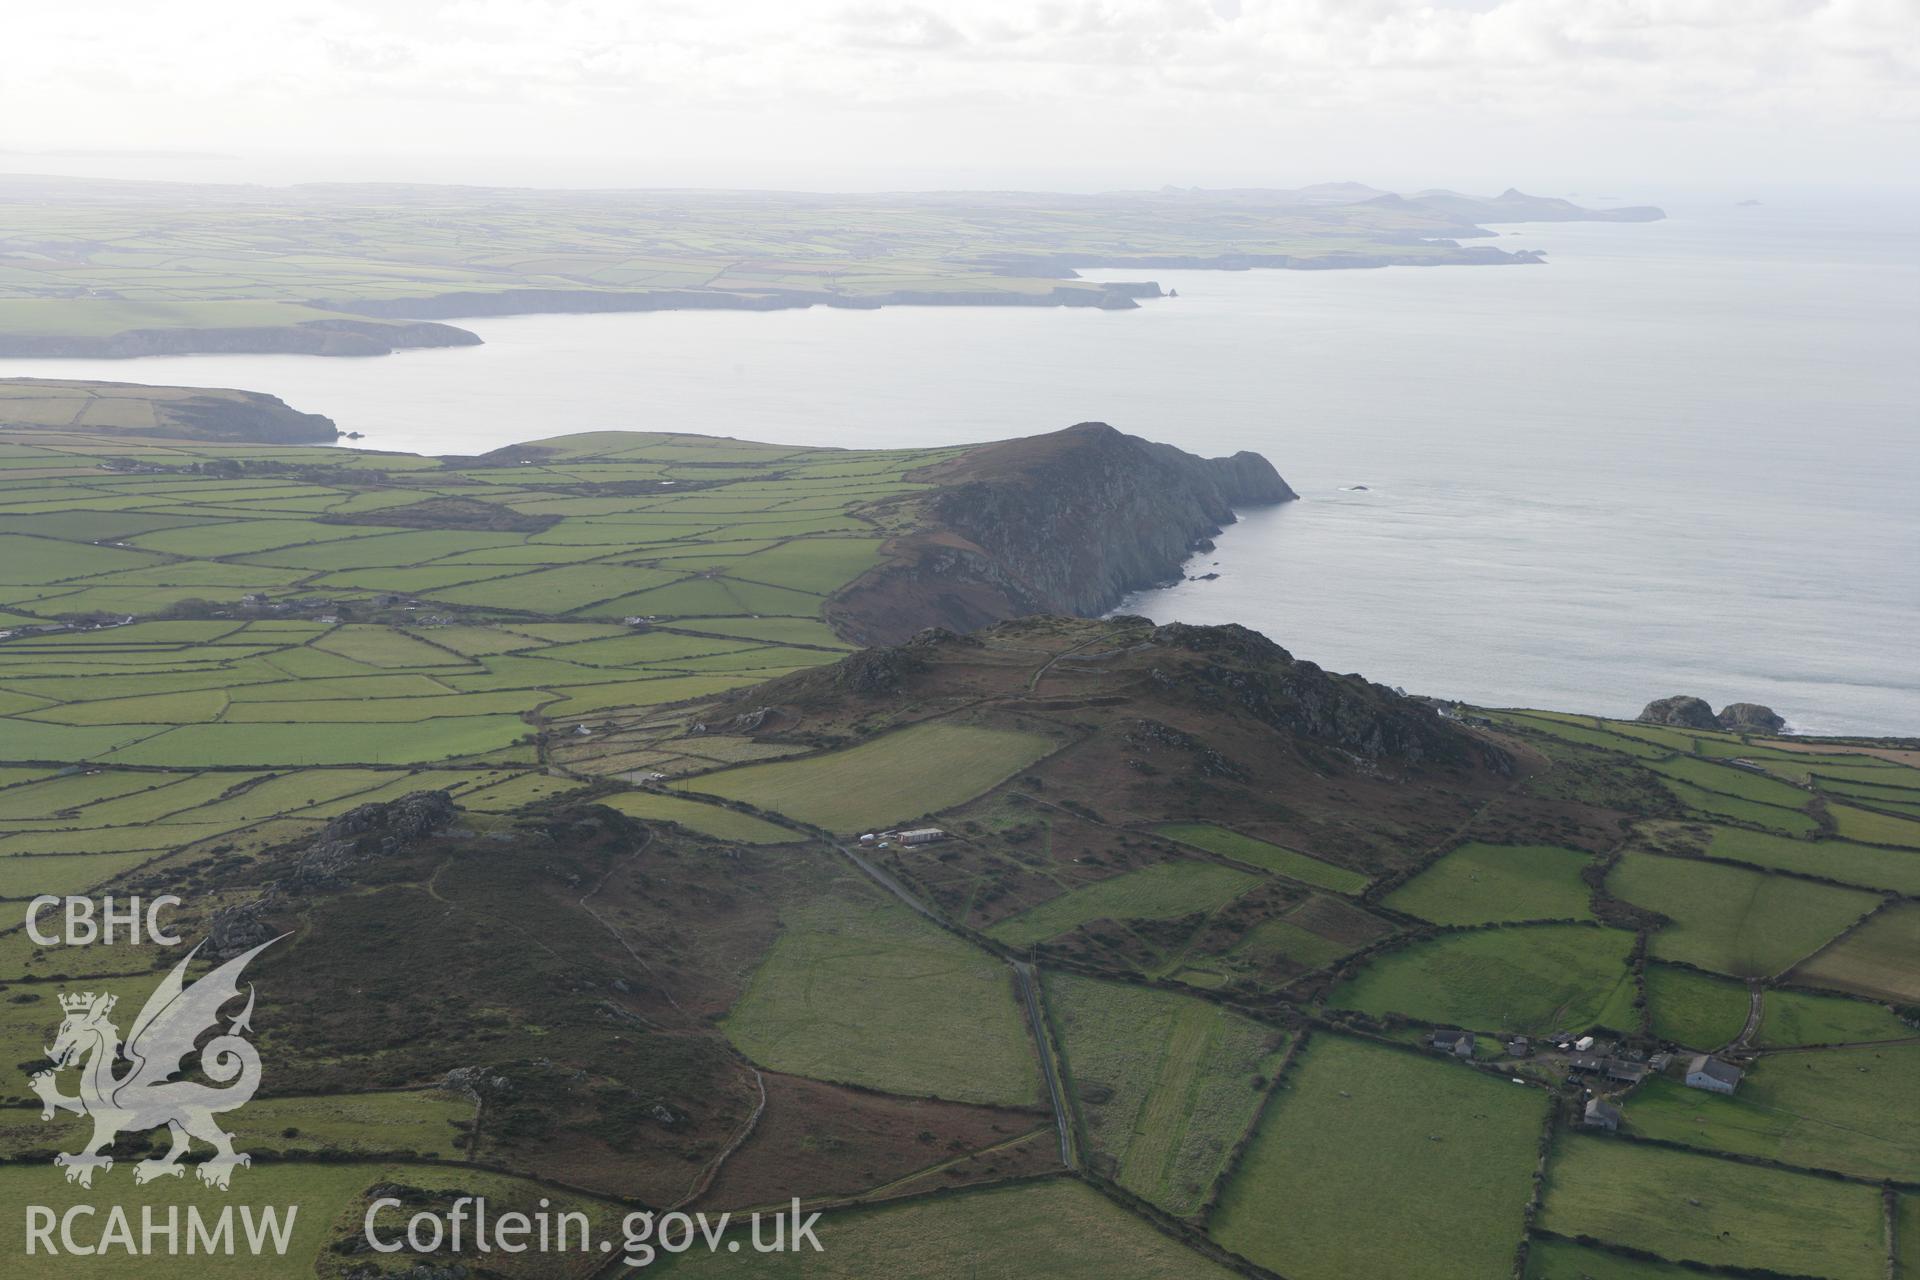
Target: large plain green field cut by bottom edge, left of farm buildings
{"type": "Point", "coordinates": [1376, 1162]}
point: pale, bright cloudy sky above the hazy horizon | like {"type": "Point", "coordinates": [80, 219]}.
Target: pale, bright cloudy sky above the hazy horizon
{"type": "Point", "coordinates": [869, 95]}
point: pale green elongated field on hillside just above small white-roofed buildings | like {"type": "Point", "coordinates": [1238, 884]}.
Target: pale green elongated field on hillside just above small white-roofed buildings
{"type": "Point", "coordinates": [894, 778]}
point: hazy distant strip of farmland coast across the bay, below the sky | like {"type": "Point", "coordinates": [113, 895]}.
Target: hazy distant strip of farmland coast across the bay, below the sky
{"type": "Point", "coordinates": [372, 272]}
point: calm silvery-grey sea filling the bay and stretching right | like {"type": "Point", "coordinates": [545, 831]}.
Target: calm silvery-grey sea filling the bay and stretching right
{"type": "Point", "coordinates": [1685, 458]}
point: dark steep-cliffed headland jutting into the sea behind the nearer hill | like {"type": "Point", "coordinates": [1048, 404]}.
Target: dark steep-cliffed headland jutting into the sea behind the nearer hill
{"type": "Point", "coordinates": [1067, 523]}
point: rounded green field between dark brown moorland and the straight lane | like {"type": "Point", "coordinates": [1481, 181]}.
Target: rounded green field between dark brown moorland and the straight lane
{"type": "Point", "coordinates": [863, 991]}
